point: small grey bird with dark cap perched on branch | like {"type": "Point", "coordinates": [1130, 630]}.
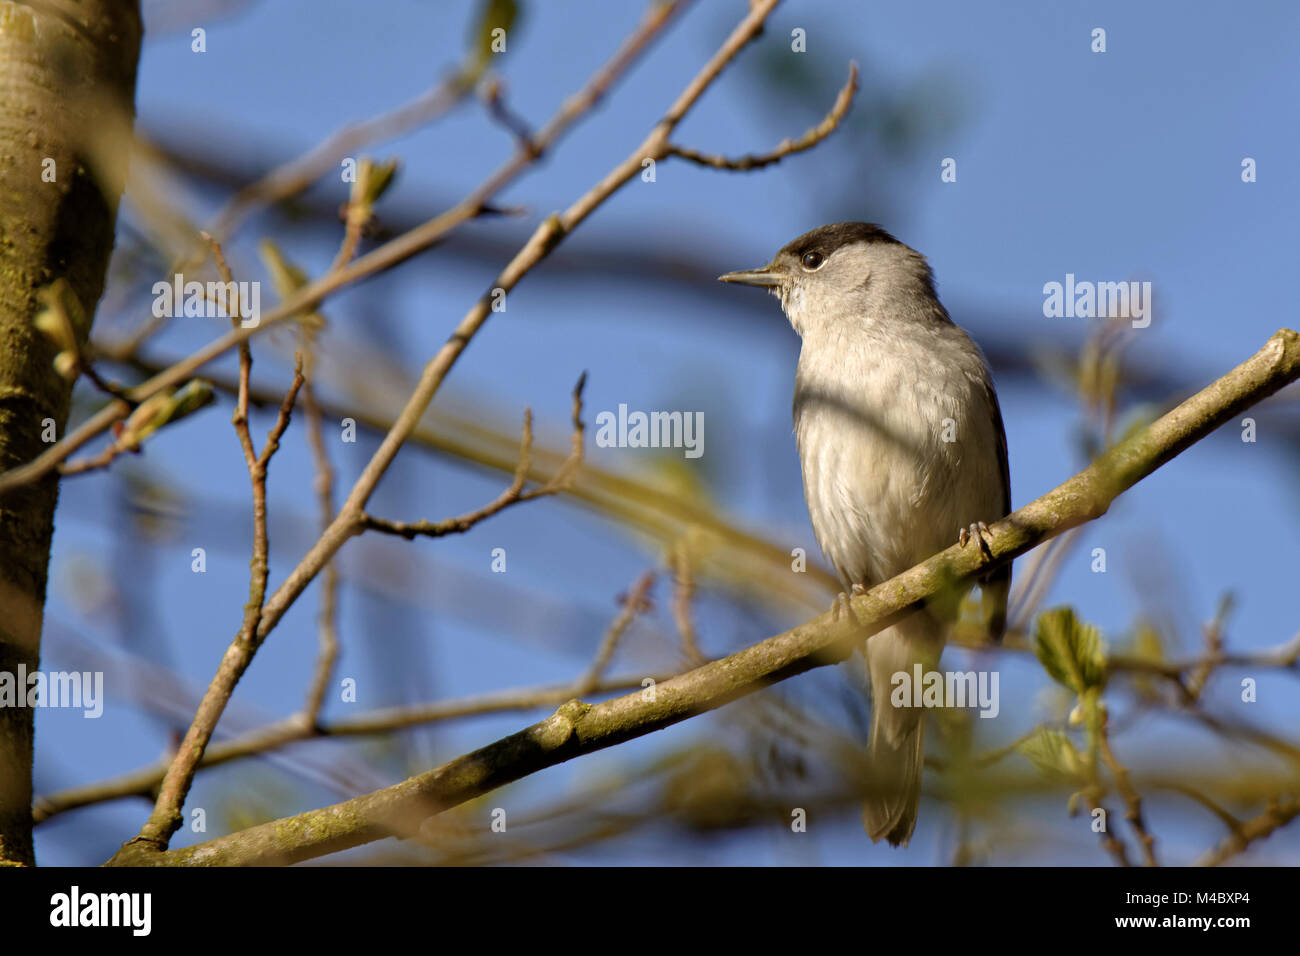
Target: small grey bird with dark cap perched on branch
{"type": "Point", "coordinates": [903, 448]}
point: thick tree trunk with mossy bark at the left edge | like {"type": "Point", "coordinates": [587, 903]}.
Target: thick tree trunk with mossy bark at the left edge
{"type": "Point", "coordinates": [67, 106]}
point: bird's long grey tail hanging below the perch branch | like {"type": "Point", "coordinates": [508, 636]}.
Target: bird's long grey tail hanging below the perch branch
{"type": "Point", "coordinates": [898, 745]}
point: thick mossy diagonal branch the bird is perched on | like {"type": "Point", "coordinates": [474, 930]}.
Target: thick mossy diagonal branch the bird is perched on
{"type": "Point", "coordinates": [578, 729]}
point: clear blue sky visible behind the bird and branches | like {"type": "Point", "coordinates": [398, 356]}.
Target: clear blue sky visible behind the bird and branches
{"type": "Point", "coordinates": [1117, 166]}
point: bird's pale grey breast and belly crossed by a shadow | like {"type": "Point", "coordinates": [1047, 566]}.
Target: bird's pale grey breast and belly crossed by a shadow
{"type": "Point", "coordinates": [898, 444]}
